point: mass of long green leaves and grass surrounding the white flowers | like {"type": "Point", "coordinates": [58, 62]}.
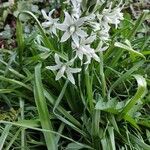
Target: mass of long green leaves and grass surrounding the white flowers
{"type": "Point", "coordinates": [107, 109]}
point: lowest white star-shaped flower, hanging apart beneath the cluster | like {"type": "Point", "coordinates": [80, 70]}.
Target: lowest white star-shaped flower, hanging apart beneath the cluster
{"type": "Point", "coordinates": [64, 68]}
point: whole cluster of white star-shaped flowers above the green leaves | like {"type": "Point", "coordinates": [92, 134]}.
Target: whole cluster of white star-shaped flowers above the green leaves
{"type": "Point", "coordinates": [82, 29]}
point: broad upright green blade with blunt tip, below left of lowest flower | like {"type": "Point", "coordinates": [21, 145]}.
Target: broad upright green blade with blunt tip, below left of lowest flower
{"type": "Point", "coordinates": [43, 110]}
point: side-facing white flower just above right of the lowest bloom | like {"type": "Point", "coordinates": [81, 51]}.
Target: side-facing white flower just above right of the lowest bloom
{"type": "Point", "coordinates": [83, 48]}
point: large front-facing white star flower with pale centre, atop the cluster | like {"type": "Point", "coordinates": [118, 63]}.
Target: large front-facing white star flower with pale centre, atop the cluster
{"type": "Point", "coordinates": [72, 28]}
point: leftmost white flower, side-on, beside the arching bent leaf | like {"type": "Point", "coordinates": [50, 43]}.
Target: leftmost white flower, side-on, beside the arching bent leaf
{"type": "Point", "coordinates": [50, 22]}
